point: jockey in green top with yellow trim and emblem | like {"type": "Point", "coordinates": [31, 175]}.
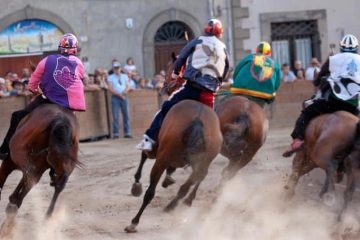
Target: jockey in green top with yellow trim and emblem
{"type": "Point", "coordinates": [257, 76]}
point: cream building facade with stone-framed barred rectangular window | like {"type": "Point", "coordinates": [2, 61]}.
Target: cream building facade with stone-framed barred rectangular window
{"type": "Point", "coordinates": [296, 29]}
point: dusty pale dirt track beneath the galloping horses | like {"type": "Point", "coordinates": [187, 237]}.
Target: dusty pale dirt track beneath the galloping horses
{"type": "Point", "coordinates": [96, 203]}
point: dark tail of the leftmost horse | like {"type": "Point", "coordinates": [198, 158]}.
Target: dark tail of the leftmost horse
{"type": "Point", "coordinates": [60, 138]}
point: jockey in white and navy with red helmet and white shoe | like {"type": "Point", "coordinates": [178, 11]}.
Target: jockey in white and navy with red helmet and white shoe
{"type": "Point", "coordinates": [207, 64]}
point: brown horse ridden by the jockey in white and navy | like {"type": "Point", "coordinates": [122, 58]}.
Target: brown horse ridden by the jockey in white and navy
{"type": "Point", "coordinates": [189, 135]}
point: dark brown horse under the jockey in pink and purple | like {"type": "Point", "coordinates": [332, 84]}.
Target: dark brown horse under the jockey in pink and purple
{"type": "Point", "coordinates": [46, 138]}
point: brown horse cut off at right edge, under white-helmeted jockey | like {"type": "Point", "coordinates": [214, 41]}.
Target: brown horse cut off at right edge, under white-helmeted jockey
{"type": "Point", "coordinates": [329, 139]}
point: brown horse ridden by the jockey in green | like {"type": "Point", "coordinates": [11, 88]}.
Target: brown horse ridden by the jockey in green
{"type": "Point", "coordinates": [243, 123]}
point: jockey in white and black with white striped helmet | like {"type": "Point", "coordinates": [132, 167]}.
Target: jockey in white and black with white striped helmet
{"type": "Point", "coordinates": [339, 82]}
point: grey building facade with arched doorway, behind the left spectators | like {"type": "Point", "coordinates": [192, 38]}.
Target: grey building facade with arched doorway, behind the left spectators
{"type": "Point", "coordinates": [145, 30]}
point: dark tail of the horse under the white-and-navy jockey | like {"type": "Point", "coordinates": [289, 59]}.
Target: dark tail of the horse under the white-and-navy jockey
{"type": "Point", "coordinates": [193, 137]}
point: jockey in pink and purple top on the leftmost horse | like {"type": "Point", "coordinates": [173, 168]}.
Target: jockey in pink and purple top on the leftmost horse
{"type": "Point", "coordinates": [60, 77]}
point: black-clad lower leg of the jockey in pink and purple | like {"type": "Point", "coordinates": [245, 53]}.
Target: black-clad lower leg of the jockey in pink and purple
{"type": "Point", "coordinates": [15, 119]}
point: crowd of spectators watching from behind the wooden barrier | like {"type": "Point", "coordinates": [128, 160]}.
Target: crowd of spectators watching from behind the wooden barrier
{"type": "Point", "coordinates": [13, 85]}
